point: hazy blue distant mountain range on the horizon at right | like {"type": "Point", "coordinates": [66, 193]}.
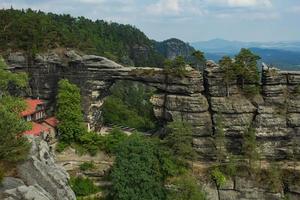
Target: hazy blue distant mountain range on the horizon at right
{"type": "Point", "coordinates": [284, 55]}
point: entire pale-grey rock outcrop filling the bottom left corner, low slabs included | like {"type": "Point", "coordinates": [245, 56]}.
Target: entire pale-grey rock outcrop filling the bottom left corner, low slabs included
{"type": "Point", "coordinates": [39, 178]}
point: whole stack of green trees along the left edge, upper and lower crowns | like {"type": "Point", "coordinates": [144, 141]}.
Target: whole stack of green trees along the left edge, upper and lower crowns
{"type": "Point", "coordinates": [13, 146]}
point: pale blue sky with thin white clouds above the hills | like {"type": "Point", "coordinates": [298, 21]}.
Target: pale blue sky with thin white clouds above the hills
{"type": "Point", "coordinates": [189, 20]}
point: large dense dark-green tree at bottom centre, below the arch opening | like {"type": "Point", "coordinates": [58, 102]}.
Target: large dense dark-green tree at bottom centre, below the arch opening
{"type": "Point", "coordinates": [137, 172]}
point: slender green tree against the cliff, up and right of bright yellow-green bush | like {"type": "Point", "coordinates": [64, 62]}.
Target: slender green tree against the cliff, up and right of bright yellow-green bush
{"type": "Point", "coordinates": [249, 147]}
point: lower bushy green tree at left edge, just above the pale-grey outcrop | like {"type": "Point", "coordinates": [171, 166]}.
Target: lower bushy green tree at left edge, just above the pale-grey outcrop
{"type": "Point", "coordinates": [13, 145]}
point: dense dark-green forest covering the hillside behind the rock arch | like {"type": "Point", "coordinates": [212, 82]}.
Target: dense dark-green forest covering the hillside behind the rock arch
{"type": "Point", "coordinates": [36, 31]}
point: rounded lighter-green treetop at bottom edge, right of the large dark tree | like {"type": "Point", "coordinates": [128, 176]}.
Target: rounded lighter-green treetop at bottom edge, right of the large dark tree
{"type": "Point", "coordinates": [185, 187]}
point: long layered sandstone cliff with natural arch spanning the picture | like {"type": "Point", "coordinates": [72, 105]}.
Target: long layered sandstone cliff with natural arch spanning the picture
{"type": "Point", "coordinates": [195, 97]}
